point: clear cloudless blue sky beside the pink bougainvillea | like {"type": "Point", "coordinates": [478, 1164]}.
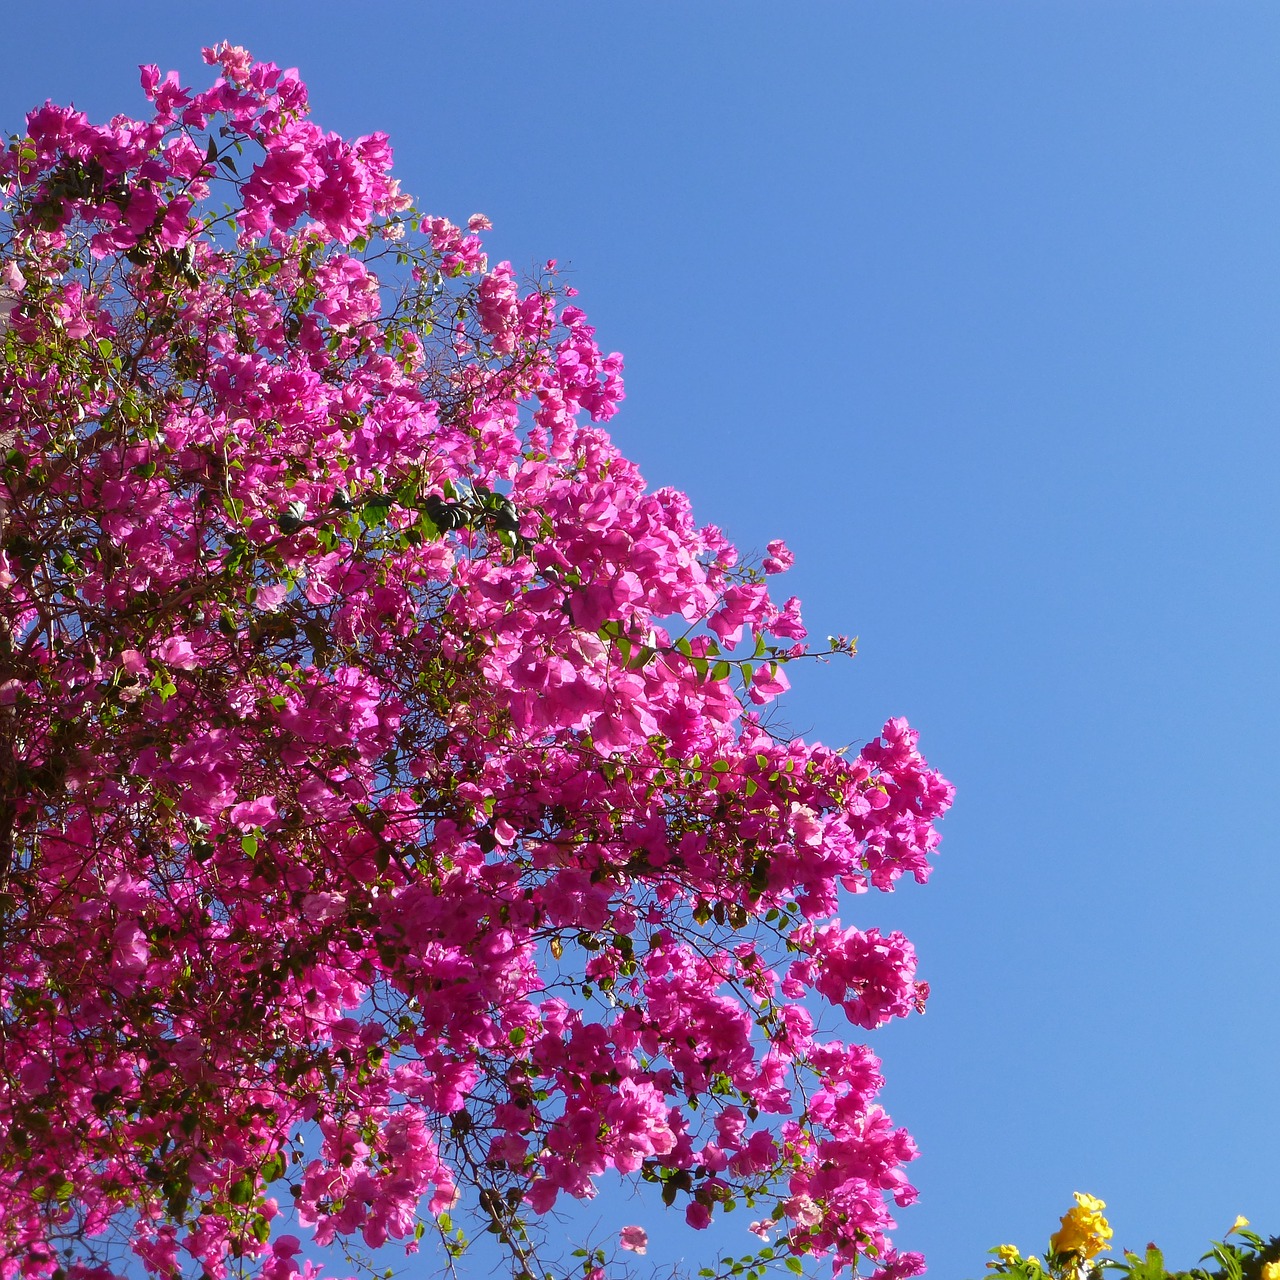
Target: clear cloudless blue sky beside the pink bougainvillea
{"type": "Point", "coordinates": [976, 304]}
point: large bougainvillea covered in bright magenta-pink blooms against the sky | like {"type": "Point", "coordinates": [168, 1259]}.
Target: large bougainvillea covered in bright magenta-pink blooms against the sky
{"type": "Point", "coordinates": [391, 838]}
